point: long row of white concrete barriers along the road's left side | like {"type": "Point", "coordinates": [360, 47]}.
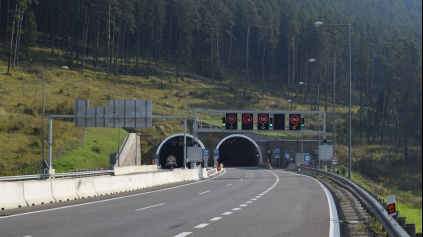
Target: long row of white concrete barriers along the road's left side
{"type": "Point", "coordinates": [19, 194]}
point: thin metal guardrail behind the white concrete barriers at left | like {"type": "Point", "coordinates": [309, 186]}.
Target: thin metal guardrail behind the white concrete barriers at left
{"type": "Point", "coordinates": [55, 176]}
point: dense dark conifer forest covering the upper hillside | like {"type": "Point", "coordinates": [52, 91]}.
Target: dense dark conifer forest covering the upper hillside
{"type": "Point", "coordinates": [269, 39]}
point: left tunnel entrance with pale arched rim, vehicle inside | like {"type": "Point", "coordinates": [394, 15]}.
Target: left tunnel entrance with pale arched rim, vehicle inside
{"type": "Point", "coordinates": [174, 146]}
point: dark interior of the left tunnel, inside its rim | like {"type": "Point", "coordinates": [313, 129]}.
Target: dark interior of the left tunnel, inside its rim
{"type": "Point", "coordinates": [175, 147]}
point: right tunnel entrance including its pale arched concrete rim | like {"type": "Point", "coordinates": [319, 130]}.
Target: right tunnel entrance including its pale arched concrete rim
{"type": "Point", "coordinates": [246, 148]}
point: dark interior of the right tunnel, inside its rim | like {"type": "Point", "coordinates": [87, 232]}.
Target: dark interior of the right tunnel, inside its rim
{"type": "Point", "coordinates": [238, 152]}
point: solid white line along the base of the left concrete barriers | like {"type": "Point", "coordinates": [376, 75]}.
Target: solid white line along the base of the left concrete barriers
{"type": "Point", "coordinates": [112, 199]}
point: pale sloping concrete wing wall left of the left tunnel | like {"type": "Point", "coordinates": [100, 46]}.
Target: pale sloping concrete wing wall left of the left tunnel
{"type": "Point", "coordinates": [130, 153]}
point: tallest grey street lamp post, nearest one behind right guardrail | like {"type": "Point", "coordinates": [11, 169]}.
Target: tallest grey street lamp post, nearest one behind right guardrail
{"type": "Point", "coordinates": [318, 24]}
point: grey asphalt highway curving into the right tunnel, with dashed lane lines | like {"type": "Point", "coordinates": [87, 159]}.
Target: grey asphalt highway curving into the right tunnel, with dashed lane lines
{"type": "Point", "coordinates": [241, 202]}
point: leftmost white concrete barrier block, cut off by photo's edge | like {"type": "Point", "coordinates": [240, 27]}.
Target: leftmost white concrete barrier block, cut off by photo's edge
{"type": "Point", "coordinates": [12, 195]}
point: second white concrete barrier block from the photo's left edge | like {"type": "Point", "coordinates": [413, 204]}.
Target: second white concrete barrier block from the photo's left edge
{"type": "Point", "coordinates": [38, 192]}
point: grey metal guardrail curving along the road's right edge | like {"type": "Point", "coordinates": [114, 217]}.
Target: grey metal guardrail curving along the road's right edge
{"type": "Point", "coordinates": [368, 200]}
